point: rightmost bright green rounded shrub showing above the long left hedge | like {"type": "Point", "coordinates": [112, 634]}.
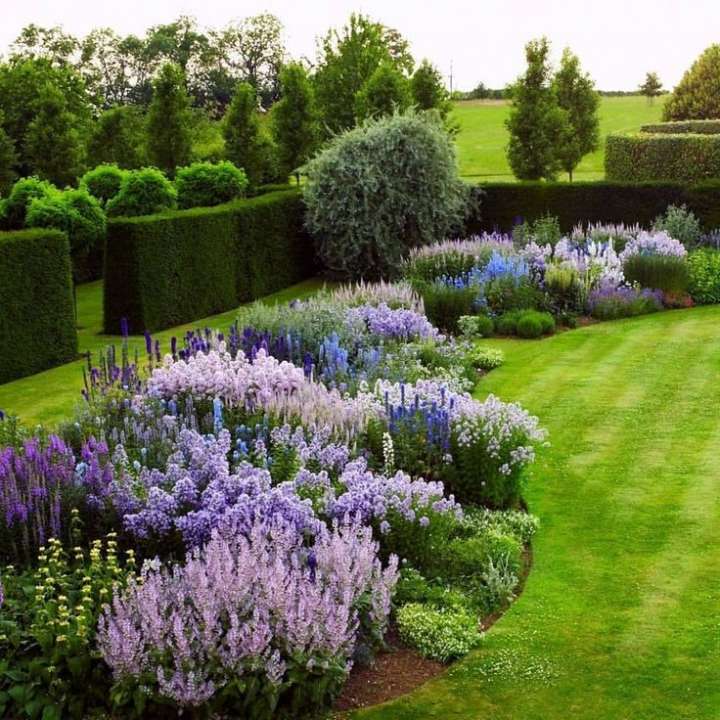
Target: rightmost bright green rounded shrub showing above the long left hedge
{"type": "Point", "coordinates": [203, 184]}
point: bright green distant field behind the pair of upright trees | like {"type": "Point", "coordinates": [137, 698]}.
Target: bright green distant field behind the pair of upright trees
{"type": "Point", "coordinates": [483, 137]}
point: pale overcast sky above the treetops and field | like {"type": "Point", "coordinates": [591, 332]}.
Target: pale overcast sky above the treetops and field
{"type": "Point", "coordinates": [618, 41]}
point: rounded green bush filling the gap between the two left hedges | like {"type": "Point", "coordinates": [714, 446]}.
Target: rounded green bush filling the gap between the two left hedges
{"type": "Point", "coordinates": [79, 215]}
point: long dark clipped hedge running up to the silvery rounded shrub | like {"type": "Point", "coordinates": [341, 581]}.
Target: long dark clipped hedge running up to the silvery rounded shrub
{"type": "Point", "coordinates": [178, 266]}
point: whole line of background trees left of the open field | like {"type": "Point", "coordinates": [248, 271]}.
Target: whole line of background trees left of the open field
{"type": "Point", "coordinates": [180, 94]}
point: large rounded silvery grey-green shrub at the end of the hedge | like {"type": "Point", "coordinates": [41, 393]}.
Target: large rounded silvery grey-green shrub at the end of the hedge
{"type": "Point", "coordinates": [380, 189]}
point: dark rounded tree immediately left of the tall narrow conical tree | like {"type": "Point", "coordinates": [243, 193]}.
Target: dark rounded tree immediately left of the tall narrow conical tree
{"type": "Point", "coordinates": [118, 137]}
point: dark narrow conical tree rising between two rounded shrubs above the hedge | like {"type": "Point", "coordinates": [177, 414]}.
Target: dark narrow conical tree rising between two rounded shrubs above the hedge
{"type": "Point", "coordinates": [169, 139]}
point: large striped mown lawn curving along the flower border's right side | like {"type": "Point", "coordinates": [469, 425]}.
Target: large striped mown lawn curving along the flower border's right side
{"type": "Point", "coordinates": [619, 617]}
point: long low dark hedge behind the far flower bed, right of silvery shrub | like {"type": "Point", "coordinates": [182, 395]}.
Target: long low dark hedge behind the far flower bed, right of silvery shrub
{"type": "Point", "coordinates": [504, 204]}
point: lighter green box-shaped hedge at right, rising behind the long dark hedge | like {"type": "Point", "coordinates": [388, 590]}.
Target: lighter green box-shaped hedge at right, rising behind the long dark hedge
{"type": "Point", "coordinates": [637, 157]}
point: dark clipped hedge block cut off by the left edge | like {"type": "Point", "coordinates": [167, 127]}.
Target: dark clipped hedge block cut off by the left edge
{"type": "Point", "coordinates": [37, 314]}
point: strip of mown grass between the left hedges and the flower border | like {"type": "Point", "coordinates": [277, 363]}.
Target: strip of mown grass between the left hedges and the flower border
{"type": "Point", "coordinates": [50, 396]}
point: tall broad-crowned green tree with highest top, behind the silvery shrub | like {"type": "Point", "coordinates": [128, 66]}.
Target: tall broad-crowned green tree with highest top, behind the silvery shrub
{"type": "Point", "coordinates": [347, 58]}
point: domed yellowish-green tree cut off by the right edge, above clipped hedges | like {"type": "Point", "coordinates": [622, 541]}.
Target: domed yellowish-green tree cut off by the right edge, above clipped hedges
{"type": "Point", "coordinates": [697, 96]}
